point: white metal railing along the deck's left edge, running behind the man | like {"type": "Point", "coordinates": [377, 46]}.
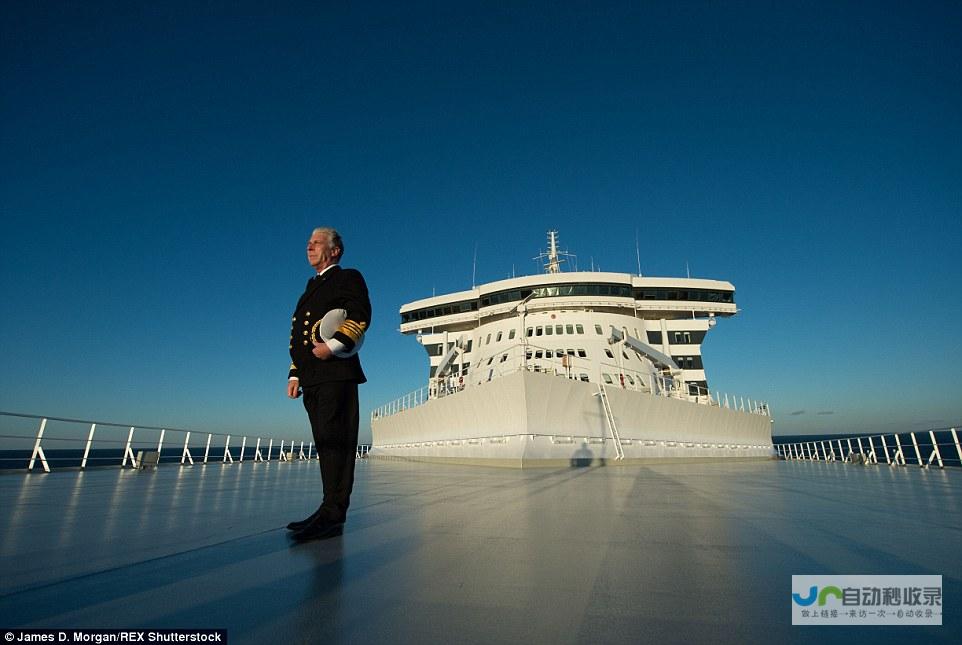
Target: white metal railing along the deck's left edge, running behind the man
{"type": "Point", "coordinates": [29, 440]}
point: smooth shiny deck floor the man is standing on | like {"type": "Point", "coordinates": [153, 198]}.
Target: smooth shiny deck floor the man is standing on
{"type": "Point", "coordinates": [461, 554]}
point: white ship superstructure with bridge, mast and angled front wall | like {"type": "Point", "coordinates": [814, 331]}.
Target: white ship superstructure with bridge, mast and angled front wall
{"type": "Point", "coordinates": [579, 368]}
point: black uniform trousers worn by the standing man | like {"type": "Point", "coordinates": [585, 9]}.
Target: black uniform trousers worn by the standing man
{"type": "Point", "coordinates": [333, 411]}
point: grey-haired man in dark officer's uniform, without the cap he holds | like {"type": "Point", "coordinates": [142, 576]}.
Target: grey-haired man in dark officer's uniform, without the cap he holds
{"type": "Point", "coordinates": [327, 372]}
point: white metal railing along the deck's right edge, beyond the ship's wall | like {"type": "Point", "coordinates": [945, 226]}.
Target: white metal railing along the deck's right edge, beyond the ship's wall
{"type": "Point", "coordinates": [937, 446]}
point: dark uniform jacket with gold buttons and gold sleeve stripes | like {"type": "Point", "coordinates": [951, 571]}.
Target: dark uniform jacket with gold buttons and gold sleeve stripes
{"type": "Point", "coordinates": [337, 289]}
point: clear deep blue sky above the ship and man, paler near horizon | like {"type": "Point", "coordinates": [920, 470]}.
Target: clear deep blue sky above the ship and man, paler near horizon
{"type": "Point", "coordinates": [162, 165]}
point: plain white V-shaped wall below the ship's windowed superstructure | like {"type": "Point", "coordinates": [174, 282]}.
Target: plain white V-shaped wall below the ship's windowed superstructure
{"type": "Point", "coordinates": [536, 419]}
